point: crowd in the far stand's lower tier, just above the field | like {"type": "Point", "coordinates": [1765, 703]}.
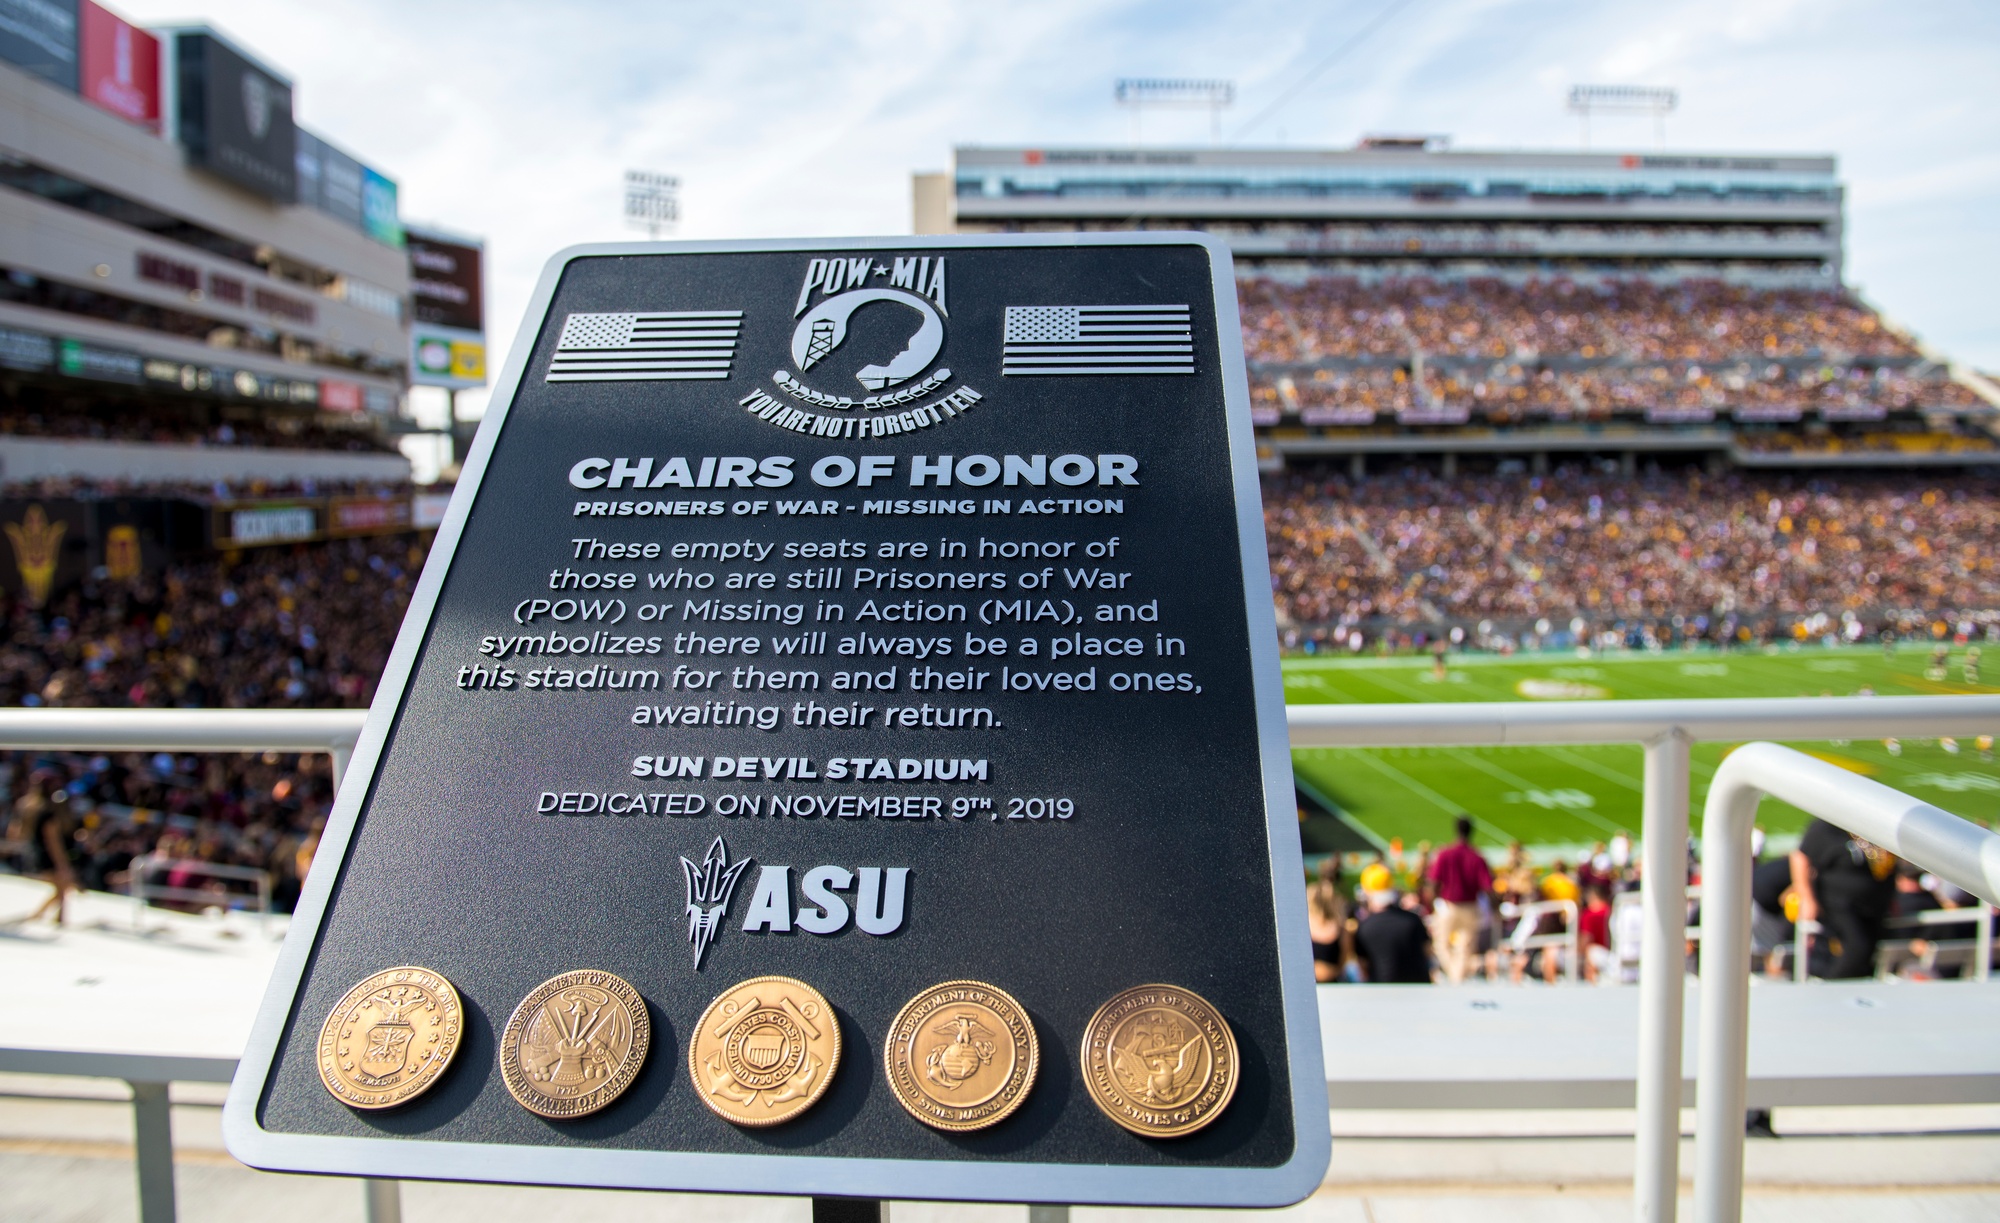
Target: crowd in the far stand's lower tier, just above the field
{"type": "Point", "coordinates": [1603, 547]}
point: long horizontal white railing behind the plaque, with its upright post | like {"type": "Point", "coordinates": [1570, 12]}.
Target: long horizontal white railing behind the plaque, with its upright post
{"type": "Point", "coordinates": [1663, 728]}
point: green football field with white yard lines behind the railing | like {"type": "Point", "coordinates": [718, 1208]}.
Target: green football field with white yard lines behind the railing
{"type": "Point", "coordinates": [1563, 800]}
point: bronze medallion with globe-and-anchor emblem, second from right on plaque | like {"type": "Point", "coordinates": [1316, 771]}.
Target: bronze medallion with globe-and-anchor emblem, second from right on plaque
{"type": "Point", "coordinates": [961, 1056]}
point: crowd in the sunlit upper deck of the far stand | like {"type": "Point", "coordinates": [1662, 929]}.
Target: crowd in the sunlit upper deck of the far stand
{"type": "Point", "coordinates": [1563, 351]}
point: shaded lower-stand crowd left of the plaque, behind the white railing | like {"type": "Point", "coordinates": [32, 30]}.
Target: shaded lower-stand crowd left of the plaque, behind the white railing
{"type": "Point", "coordinates": [281, 628]}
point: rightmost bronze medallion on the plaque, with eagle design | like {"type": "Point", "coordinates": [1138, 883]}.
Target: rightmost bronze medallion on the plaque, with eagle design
{"type": "Point", "coordinates": [1161, 1060]}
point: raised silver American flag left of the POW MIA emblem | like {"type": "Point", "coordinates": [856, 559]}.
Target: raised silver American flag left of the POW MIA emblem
{"type": "Point", "coordinates": [655, 347]}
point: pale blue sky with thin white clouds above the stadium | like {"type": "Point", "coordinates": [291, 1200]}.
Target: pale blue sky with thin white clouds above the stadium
{"type": "Point", "coordinates": [515, 121]}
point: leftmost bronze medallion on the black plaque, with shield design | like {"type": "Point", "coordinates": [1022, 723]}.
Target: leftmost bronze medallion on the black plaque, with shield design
{"type": "Point", "coordinates": [391, 1038]}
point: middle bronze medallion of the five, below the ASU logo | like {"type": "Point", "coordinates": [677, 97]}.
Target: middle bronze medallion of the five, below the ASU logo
{"type": "Point", "coordinates": [765, 1052]}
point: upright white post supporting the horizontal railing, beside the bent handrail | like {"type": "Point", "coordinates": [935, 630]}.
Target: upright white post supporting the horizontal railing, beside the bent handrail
{"type": "Point", "coordinates": [1661, 970]}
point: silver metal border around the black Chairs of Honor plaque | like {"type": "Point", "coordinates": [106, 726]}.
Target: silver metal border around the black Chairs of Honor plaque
{"type": "Point", "coordinates": [939, 1180]}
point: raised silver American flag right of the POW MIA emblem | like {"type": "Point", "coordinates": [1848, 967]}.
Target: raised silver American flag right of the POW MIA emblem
{"type": "Point", "coordinates": [1097, 341]}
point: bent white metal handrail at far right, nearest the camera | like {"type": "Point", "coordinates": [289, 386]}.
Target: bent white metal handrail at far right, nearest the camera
{"type": "Point", "coordinates": [1913, 830]}
